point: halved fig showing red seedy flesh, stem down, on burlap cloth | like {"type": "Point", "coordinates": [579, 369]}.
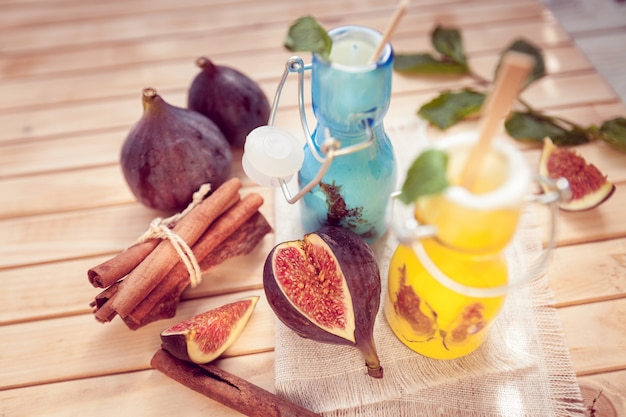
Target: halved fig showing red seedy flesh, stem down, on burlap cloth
{"type": "Point", "coordinates": [326, 287]}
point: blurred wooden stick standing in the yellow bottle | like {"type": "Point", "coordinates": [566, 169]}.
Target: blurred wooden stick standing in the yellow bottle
{"type": "Point", "coordinates": [513, 72]}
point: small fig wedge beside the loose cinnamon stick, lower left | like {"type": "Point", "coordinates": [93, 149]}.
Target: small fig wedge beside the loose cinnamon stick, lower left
{"type": "Point", "coordinates": [204, 337]}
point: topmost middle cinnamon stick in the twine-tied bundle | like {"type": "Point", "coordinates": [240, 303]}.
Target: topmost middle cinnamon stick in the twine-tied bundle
{"type": "Point", "coordinates": [149, 273]}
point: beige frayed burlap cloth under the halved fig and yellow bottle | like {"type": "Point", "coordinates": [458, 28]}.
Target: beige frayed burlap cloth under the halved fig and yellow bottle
{"type": "Point", "coordinates": [523, 369]}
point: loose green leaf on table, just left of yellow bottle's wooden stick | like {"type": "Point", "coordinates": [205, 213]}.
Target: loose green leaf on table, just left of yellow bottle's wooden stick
{"type": "Point", "coordinates": [450, 108]}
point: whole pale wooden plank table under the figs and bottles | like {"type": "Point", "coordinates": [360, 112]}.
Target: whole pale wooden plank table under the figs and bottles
{"type": "Point", "coordinates": [71, 75]}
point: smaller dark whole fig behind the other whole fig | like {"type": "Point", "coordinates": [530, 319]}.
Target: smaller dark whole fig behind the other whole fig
{"type": "Point", "coordinates": [230, 98]}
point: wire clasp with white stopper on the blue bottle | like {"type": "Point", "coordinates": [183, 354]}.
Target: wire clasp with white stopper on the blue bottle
{"type": "Point", "coordinates": [275, 167]}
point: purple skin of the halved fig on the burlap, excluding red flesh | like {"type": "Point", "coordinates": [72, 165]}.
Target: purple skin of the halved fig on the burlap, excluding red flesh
{"type": "Point", "coordinates": [362, 275]}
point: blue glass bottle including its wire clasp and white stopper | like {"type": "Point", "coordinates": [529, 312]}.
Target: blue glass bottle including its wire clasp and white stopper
{"type": "Point", "coordinates": [347, 167]}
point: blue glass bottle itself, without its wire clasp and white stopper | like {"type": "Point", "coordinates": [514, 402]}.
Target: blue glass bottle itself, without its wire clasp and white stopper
{"type": "Point", "coordinates": [350, 97]}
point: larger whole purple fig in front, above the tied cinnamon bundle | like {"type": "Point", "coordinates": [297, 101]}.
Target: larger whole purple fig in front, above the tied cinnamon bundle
{"type": "Point", "coordinates": [170, 152]}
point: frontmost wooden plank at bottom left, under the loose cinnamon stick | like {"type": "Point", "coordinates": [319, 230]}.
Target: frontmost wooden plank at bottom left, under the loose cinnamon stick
{"type": "Point", "coordinates": [144, 393]}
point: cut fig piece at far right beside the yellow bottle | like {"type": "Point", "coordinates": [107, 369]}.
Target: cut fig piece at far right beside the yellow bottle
{"type": "Point", "coordinates": [588, 185]}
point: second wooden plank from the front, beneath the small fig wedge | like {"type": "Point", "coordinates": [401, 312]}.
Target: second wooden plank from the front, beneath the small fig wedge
{"type": "Point", "coordinates": [100, 349]}
